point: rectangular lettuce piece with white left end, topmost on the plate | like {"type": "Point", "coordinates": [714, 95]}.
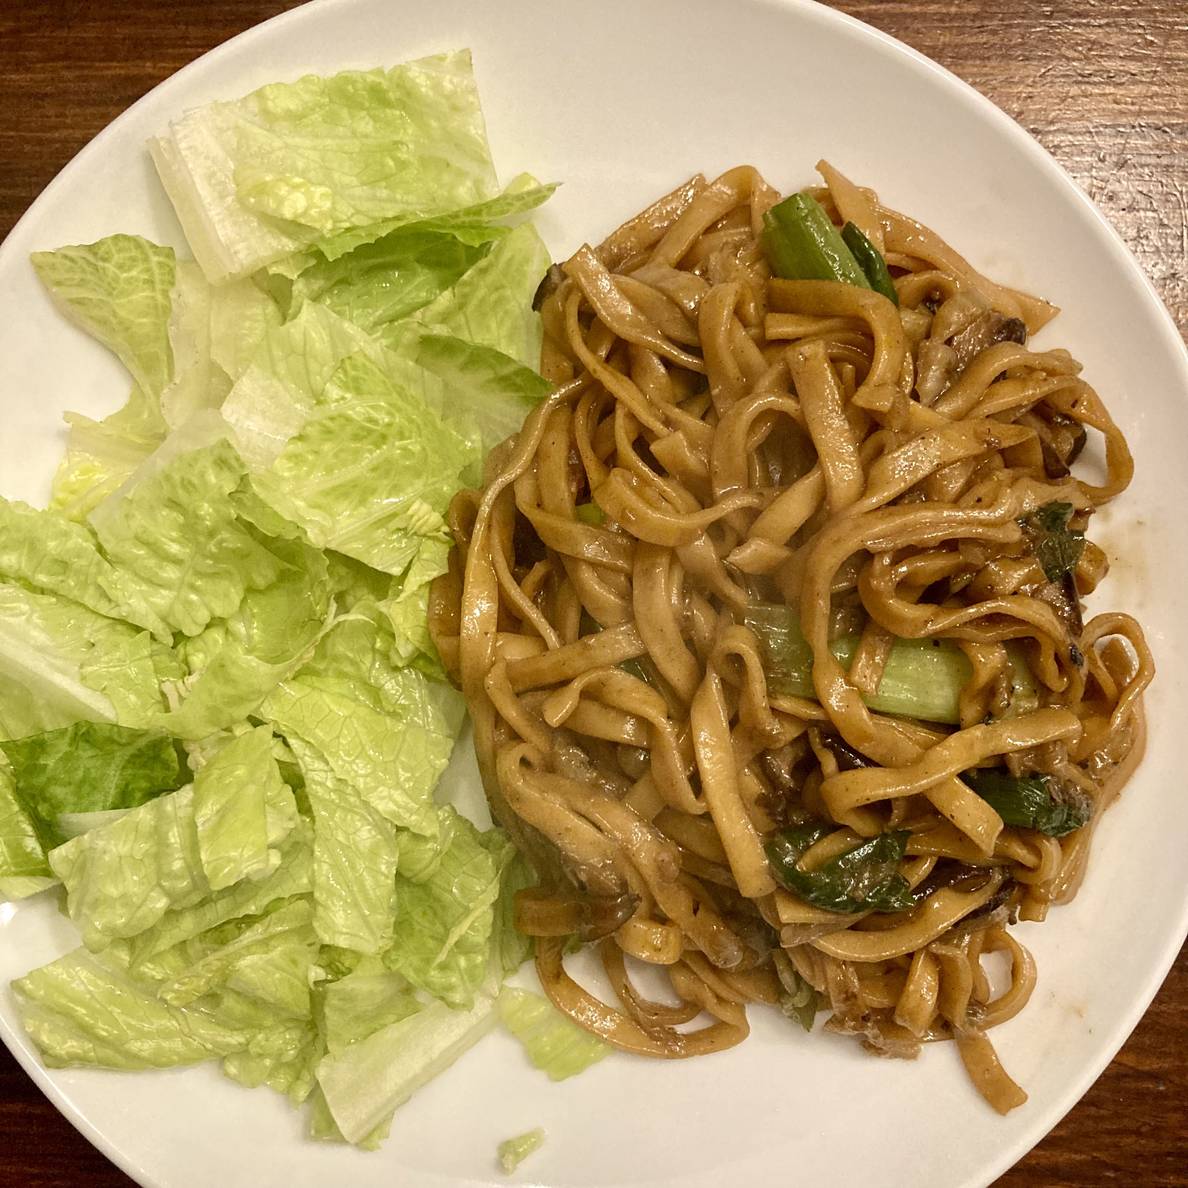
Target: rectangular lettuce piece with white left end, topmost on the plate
{"type": "Point", "coordinates": [257, 180]}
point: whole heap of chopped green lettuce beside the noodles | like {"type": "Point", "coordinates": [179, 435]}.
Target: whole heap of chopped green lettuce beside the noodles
{"type": "Point", "coordinates": [237, 570]}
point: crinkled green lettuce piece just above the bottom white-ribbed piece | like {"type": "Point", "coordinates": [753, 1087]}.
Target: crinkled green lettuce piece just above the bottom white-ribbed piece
{"type": "Point", "coordinates": [441, 940]}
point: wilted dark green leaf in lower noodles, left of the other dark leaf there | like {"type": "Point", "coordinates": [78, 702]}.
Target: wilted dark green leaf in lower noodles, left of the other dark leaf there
{"type": "Point", "coordinates": [864, 879]}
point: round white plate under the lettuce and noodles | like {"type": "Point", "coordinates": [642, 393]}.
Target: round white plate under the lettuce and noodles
{"type": "Point", "coordinates": [621, 100]}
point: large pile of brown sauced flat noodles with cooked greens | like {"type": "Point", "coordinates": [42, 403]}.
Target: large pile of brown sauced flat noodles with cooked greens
{"type": "Point", "coordinates": [702, 604]}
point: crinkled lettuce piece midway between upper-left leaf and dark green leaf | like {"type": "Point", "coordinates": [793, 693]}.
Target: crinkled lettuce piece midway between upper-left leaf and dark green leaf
{"type": "Point", "coordinates": [178, 533]}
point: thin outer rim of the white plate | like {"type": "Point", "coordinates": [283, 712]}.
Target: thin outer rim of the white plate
{"type": "Point", "coordinates": [1025, 143]}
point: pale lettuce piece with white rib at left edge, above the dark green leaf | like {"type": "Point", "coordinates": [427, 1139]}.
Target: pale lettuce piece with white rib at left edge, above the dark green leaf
{"type": "Point", "coordinates": [61, 663]}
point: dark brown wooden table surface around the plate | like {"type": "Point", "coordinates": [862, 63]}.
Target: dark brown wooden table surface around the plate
{"type": "Point", "coordinates": [1102, 84]}
